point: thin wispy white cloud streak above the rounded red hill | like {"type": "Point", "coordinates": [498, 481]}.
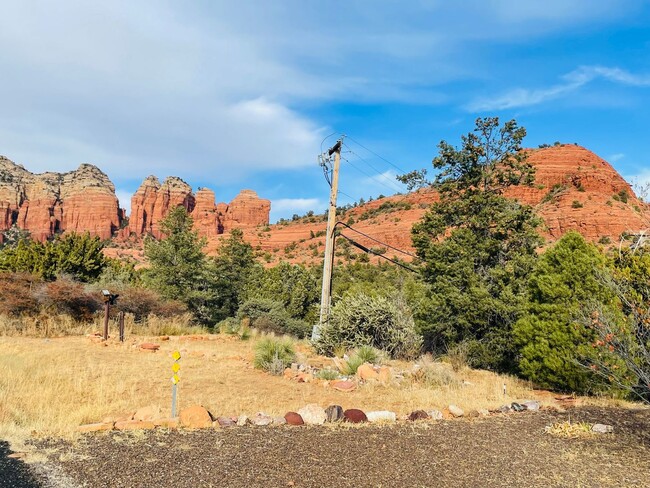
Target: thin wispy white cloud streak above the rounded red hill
{"type": "Point", "coordinates": [525, 97]}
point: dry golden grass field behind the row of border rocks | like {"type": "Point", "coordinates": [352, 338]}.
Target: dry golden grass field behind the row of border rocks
{"type": "Point", "coordinates": [51, 386]}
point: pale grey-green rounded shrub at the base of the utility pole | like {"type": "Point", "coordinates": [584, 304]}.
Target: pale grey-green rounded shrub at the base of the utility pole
{"type": "Point", "coordinates": [363, 320]}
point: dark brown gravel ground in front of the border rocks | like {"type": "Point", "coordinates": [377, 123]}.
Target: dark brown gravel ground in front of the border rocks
{"type": "Point", "coordinates": [508, 450]}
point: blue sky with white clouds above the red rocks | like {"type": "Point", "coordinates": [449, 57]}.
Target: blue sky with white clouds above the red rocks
{"type": "Point", "coordinates": [233, 95]}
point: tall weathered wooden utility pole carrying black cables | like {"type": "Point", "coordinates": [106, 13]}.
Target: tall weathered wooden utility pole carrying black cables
{"type": "Point", "coordinates": [328, 262]}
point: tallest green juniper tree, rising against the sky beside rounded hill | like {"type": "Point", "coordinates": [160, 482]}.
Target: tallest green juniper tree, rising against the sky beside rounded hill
{"type": "Point", "coordinates": [476, 245]}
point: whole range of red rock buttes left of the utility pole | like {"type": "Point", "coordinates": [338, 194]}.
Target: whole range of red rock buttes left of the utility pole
{"type": "Point", "coordinates": [84, 201]}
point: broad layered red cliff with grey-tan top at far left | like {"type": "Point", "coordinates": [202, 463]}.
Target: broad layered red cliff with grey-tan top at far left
{"type": "Point", "coordinates": [78, 201]}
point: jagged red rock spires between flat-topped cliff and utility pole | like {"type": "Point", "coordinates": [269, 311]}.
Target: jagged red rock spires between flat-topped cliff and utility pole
{"type": "Point", "coordinates": [153, 201]}
